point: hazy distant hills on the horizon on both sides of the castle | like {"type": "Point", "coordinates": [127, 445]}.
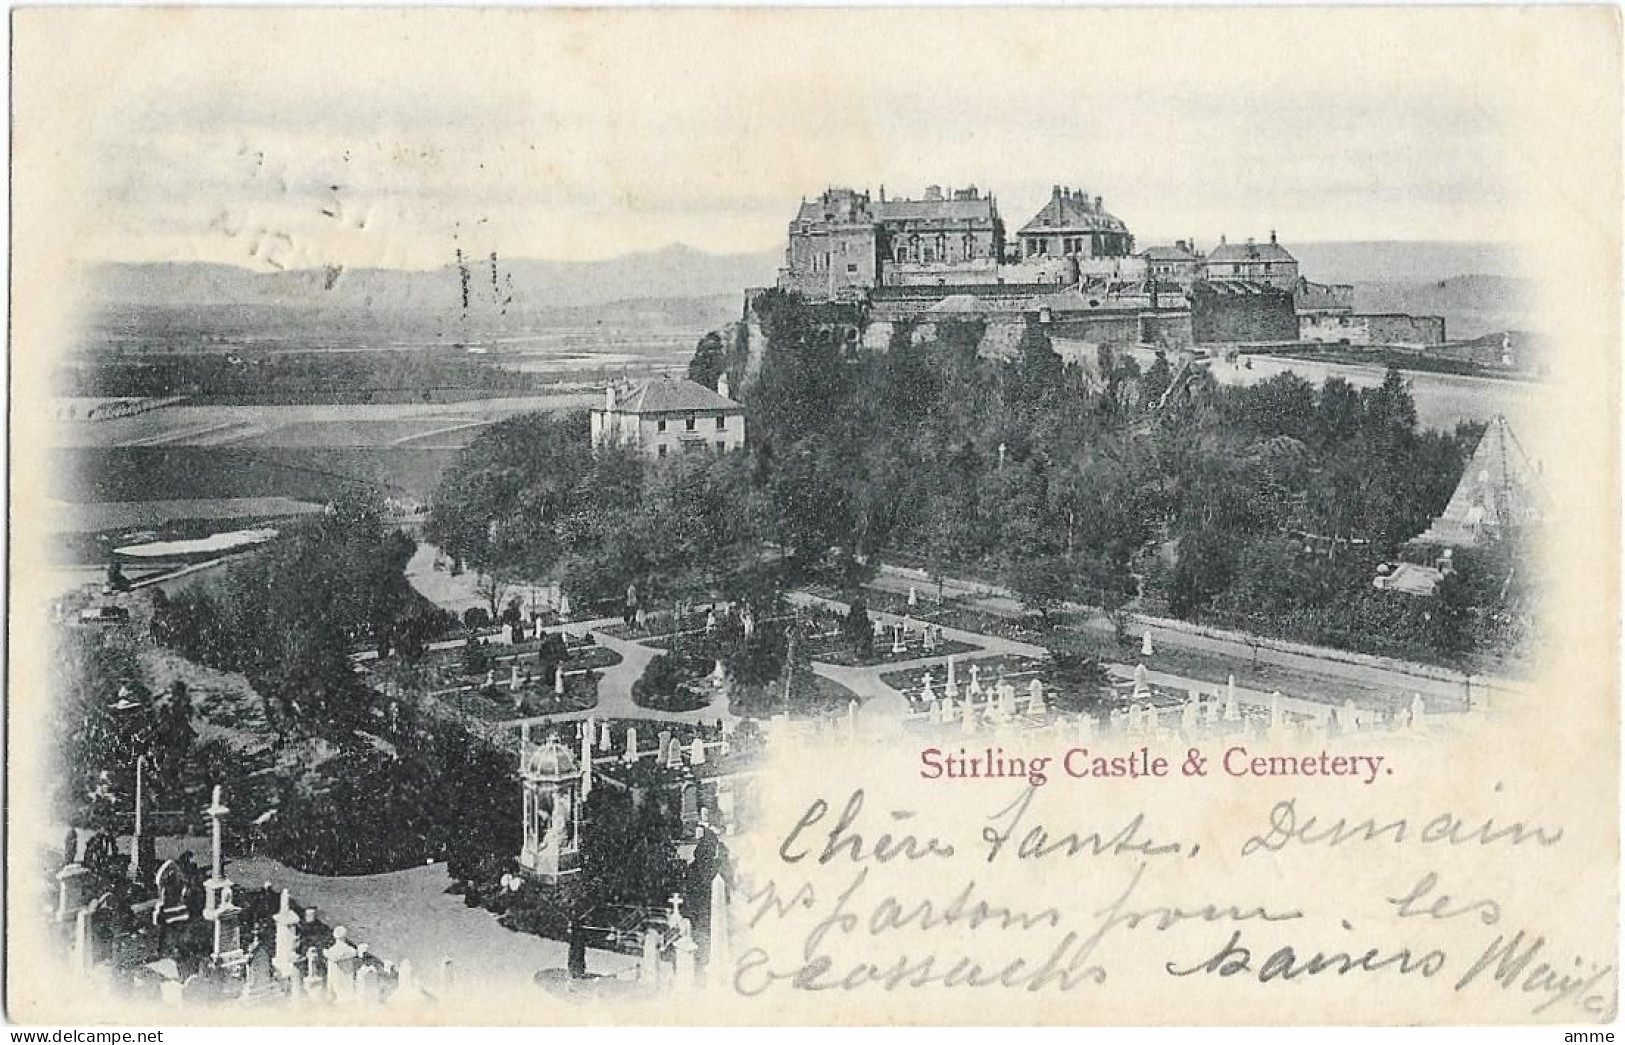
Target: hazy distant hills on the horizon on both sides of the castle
{"type": "Point", "coordinates": [1475, 287]}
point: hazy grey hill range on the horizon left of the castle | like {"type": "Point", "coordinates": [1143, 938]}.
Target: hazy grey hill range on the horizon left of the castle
{"type": "Point", "coordinates": [522, 285]}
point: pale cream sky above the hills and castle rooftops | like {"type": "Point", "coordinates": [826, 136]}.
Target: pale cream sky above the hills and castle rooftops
{"type": "Point", "coordinates": [292, 141]}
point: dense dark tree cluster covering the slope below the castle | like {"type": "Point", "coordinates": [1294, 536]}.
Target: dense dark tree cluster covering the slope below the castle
{"type": "Point", "coordinates": [1088, 480]}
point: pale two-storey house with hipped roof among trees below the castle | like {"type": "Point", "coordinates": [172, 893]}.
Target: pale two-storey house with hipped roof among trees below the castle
{"type": "Point", "coordinates": [670, 415]}
